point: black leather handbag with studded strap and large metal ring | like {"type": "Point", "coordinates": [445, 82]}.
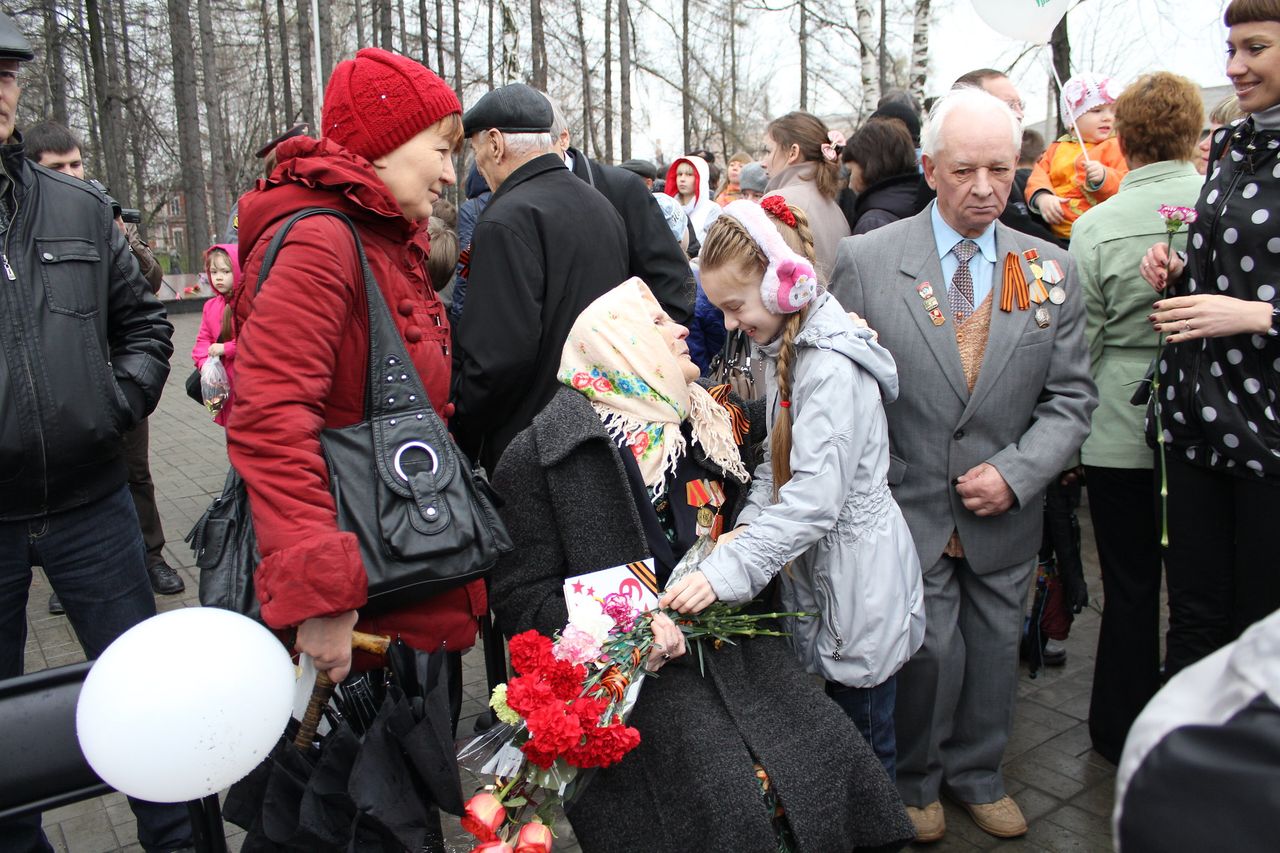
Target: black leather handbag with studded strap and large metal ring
{"type": "Point", "coordinates": [424, 517]}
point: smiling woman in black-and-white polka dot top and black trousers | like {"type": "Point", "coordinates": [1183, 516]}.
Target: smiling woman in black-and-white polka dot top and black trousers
{"type": "Point", "coordinates": [1220, 370]}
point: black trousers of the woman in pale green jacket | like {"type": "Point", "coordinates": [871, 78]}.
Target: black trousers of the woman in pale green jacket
{"type": "Point", "coordinates": [1127, 667]}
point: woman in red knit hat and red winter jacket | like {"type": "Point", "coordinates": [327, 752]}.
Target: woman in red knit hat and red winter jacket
{"type": "Point", "coordinates": [388, 131]}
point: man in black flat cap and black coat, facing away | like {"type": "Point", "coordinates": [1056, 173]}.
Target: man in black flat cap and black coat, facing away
{"type": "Point", "coordinates": [546, 247]}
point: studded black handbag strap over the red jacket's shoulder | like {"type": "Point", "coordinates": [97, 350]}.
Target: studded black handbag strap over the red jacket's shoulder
{"type": "Point", "coordinates": [400, 390]}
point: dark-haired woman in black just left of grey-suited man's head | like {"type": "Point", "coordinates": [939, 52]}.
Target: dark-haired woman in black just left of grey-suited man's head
{"type": "Point", "coordinates": [884, 172]}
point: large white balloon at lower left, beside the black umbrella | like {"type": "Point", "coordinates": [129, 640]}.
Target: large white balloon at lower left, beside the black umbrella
{"type": "Point", "coordinates": [186, 704]}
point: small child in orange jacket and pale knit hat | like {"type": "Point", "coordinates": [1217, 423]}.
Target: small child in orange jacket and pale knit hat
{"type": "Point", "coordinates": [1064, 185]}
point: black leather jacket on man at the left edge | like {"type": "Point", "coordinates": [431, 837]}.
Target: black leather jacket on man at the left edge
{"type": "Point", "coordinates": [84, 344]}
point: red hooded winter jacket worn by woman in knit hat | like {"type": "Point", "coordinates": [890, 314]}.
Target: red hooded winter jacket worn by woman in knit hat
{"type": "Point", "coordinates": [301, 366]}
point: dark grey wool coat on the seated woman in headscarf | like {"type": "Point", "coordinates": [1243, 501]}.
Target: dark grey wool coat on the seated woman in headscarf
{"type": "Point", "coordinates": [689, 786]}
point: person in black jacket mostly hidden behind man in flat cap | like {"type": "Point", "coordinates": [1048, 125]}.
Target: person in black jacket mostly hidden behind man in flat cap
{"type": "Point", "coordinates": [653, 254]}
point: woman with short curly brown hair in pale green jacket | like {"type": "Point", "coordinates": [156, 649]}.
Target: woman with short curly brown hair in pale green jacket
{"type": "Point", "coordinates": [1159, 120]}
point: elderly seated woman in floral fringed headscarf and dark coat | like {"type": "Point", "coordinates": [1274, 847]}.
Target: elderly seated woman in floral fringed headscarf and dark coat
{"type": "Point", "coordinates": [751, 758]}
